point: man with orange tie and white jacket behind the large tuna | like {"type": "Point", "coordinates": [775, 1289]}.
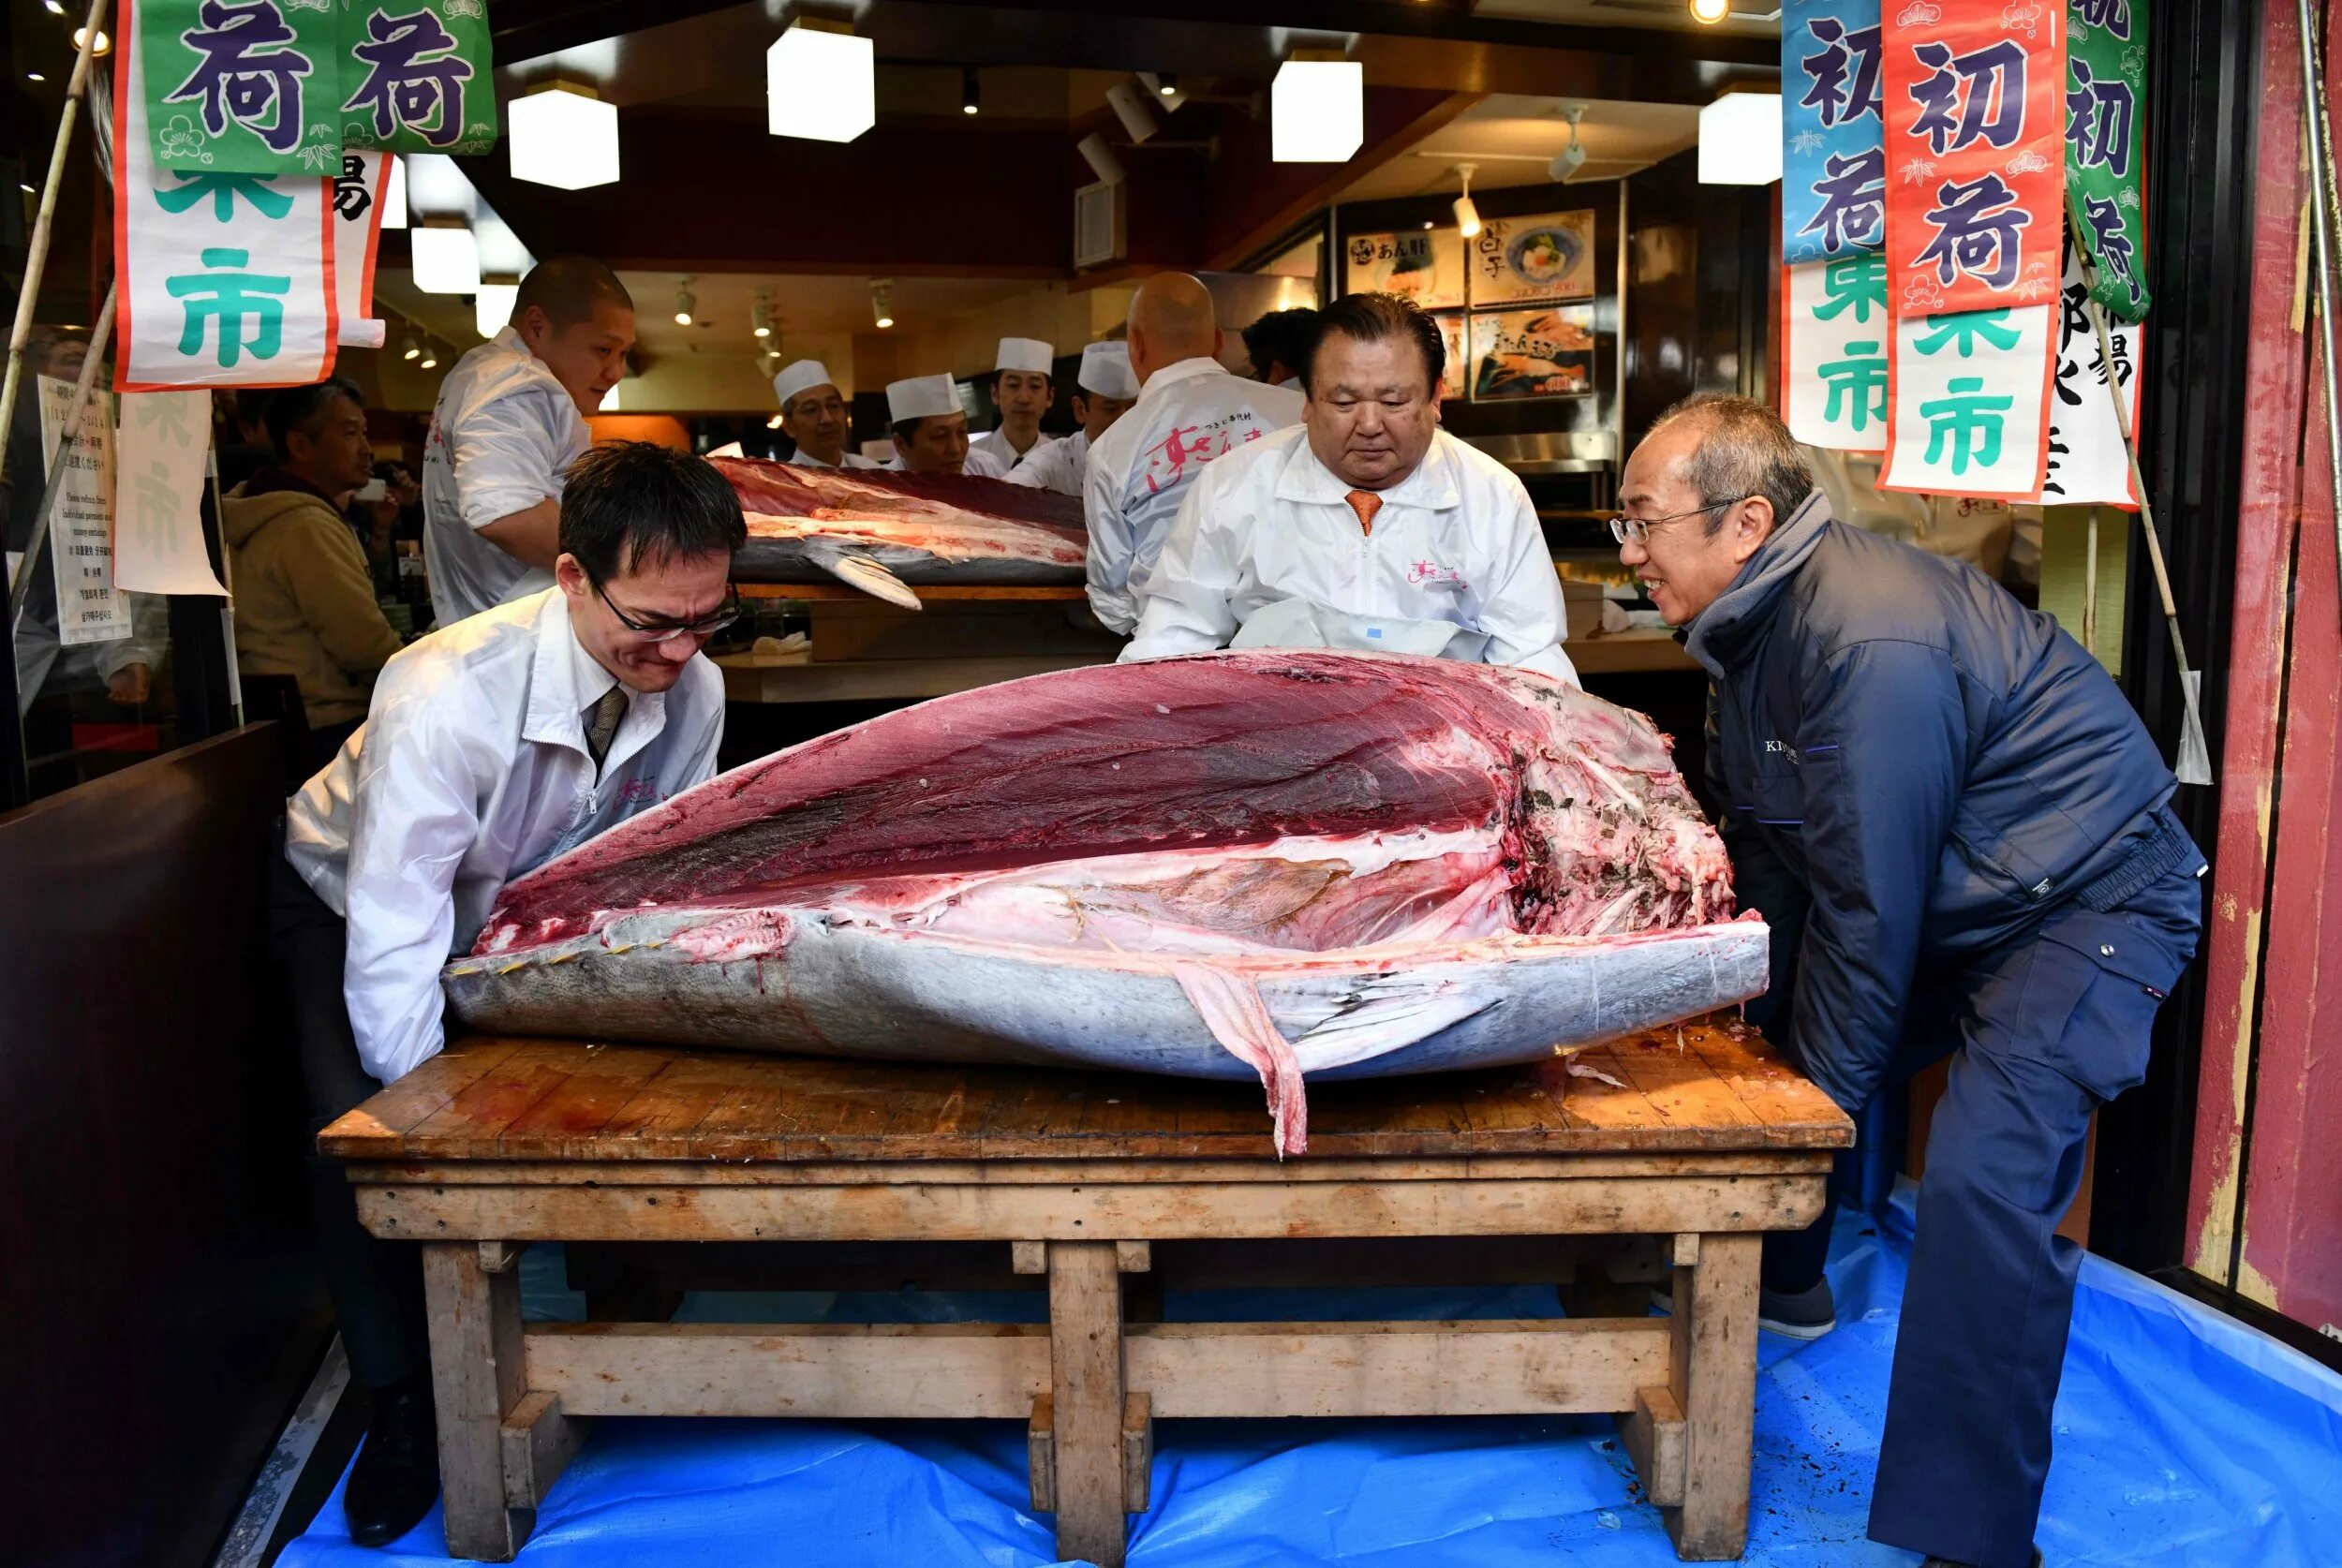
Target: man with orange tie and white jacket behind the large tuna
{"type": "Point", "coordinates": [1367, 528]}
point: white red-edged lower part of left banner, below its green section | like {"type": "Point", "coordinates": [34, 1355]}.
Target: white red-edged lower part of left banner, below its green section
{"type": "Point", "coordinates": [226, 280]}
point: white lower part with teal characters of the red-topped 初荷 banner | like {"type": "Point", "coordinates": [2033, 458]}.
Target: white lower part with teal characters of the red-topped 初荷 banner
{"type": "Point", "coordinates": [1968, 404]}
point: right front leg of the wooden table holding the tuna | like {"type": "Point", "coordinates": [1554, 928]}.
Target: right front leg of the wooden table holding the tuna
{"type": "Point", "coordinates": [1716, 1384]}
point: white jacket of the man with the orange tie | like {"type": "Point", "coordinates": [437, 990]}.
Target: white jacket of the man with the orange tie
{"type": "Point", "coordinates": [1456, 542]}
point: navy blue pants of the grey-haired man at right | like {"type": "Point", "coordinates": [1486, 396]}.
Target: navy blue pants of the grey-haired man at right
{"type": "Point", "coordinates": [2050, 1029]}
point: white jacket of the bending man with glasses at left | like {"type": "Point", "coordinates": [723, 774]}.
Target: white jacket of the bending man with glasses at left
{"type": "Point", "coordinates": [472, 771]}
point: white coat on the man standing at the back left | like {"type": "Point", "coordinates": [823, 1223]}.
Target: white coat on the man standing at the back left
{"type": "Point", "coordinates": [502, 441]}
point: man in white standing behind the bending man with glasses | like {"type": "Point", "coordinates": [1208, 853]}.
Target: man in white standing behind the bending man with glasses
{"type": "Point", "coordinates": [507, 425]}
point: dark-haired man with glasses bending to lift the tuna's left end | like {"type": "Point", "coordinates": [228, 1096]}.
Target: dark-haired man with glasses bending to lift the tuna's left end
{"type": "Point", "coordinates": [491, 748]}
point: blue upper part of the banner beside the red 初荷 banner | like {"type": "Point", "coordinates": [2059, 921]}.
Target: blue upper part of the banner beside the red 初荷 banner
{"type": "Point", "coordinates": [1835, 167]}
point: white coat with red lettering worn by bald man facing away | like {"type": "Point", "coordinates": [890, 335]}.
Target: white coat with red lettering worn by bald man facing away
{"type": "Point", "coordinates": [1189, 415]}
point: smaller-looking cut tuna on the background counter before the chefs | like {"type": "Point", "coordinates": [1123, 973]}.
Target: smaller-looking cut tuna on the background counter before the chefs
{"type": "Point", "coordinates": [893, 532]}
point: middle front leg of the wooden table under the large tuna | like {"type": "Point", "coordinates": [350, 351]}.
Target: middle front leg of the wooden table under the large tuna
{"type": "Point", "coordinates": [1086, 1396]}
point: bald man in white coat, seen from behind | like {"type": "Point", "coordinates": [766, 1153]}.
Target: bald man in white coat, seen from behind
{"type": "Point", "coordinates": [1191, 413]}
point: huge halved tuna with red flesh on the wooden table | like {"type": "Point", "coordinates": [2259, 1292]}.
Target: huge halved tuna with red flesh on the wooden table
{"type": "Point", "coordinates": [1249, 862]}
